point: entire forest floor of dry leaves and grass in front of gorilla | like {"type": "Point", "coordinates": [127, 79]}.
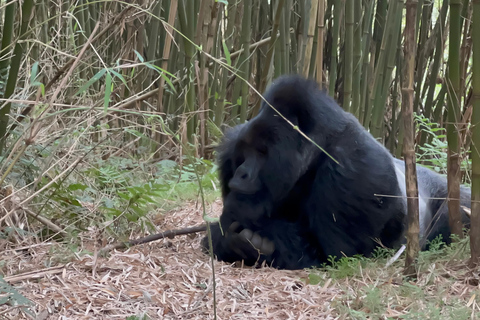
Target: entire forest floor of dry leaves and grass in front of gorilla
{"type": "Point", "coordinates": [172, 279]}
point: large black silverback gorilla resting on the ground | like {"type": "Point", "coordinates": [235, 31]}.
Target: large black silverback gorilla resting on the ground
{"type": "Point", "coordinates": [289, 204]}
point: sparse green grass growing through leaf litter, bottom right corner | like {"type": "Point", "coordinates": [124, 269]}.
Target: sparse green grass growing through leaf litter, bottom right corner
{"type": "Point", "coordinates": [371, 290]}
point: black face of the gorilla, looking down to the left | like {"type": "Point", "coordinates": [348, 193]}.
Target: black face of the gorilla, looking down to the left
{"type": "Point", "coordinates": [269, 158]}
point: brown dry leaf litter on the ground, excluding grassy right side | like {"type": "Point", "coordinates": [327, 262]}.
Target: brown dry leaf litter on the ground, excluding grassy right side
{"type": "Point", "coordinates": [166, 279]}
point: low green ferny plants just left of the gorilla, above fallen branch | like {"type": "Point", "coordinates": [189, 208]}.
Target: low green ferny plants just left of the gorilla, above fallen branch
{"type": "Point", "coordinates": [125, 191]}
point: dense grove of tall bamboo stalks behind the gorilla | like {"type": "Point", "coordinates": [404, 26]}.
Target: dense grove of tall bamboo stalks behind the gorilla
{"type": "Point", "coordinates": [184, 68]}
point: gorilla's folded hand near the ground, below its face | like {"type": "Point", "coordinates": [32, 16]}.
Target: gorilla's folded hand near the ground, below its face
{"type": "Point", "coordinates": [246, 243]}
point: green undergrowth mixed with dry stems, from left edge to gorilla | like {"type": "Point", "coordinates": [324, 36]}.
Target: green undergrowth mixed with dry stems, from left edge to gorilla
{"type": "Point", "coordinates": [116, 195]}
